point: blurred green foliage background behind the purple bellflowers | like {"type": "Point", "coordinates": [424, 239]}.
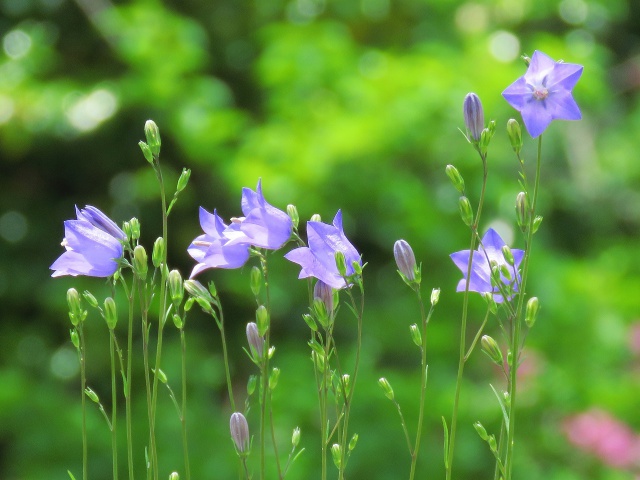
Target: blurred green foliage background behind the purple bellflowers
{"type": "Point", "coordinates": [352, 104]}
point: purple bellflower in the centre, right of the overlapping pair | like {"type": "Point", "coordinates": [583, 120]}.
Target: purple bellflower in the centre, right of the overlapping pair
{"type": "Point", "coordinates": [318, 259]}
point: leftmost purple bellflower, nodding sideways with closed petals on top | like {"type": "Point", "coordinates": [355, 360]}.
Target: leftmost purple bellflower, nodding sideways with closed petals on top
{"type": "Point", "coordinates": [93, 245]}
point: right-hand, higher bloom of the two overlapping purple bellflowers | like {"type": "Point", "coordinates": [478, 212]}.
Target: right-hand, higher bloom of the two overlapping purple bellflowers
{"type": "Point", "coordinates": [262, 226]}
